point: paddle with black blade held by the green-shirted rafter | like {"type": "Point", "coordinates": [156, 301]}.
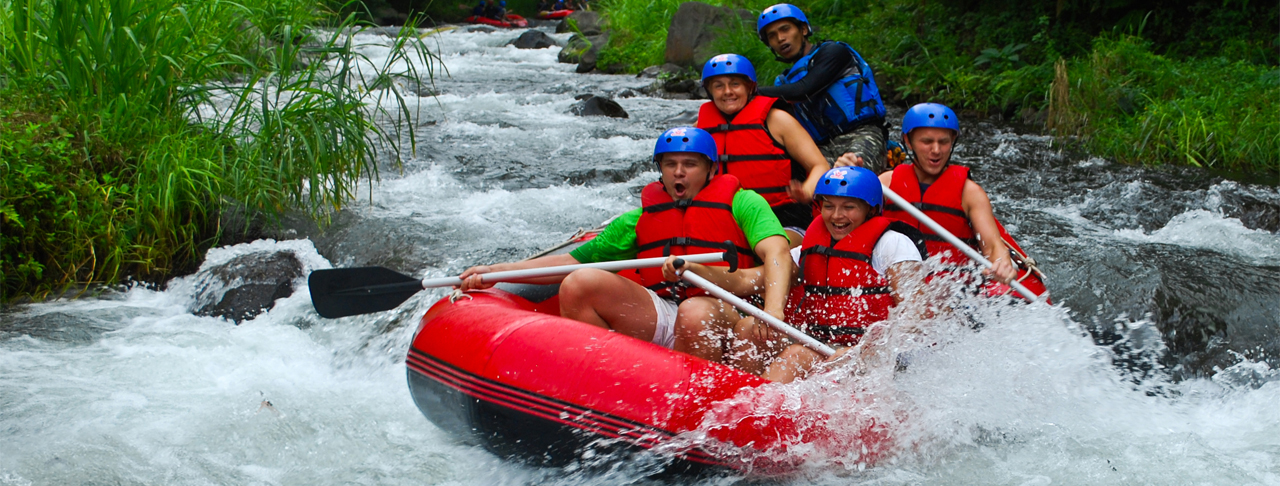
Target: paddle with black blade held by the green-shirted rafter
{"type": "Point", "coordinates": [351, 292]}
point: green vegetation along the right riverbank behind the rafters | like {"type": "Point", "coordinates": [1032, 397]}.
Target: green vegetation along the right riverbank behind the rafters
{"type": "Point", "coordinates": [1141, 82]}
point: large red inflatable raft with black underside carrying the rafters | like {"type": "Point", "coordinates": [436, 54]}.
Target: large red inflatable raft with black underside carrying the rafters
{"type": "Point", "coordinates": [505, 370]}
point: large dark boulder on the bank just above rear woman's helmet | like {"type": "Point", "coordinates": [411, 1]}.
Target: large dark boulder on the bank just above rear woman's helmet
{"type": "Point", "coordinates": [696, 27]}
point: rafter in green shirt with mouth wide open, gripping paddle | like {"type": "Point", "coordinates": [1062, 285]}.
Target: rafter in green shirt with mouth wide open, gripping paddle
{"type": "Point", "coordinates": [689, 210]}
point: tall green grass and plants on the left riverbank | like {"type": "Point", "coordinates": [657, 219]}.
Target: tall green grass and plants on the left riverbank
{"type": "Point", "coordinates": [127, 127]}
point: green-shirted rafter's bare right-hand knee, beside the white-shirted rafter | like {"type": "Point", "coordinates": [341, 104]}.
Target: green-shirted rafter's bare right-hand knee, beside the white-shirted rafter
{"type": "Point", "coordinates": [703, 327]}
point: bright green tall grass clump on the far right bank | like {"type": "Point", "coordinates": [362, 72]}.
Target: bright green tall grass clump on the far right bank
{"type": "Point", "coordinates": [1144, 108]}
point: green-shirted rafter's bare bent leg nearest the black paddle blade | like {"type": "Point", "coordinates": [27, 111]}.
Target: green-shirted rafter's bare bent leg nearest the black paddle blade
{"type": "Point", "coordinates": [609, 301]}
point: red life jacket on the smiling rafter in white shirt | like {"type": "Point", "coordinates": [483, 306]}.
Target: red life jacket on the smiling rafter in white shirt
{"type": "Point", "coordinates": [840, 292]}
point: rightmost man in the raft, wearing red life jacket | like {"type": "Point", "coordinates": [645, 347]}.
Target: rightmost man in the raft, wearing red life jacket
{"type": "Point", "coordinates": [944, 191]}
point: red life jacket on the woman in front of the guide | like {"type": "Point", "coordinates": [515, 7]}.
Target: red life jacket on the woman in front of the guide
{"type": "Point", "coordinates": [748, 150]}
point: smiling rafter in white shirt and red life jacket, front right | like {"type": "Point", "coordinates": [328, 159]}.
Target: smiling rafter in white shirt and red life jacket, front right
{"type": "Point", "coordinates": [853, 268]}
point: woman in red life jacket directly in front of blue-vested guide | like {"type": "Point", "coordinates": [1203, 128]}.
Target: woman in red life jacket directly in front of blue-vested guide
{"type": "Point", "coordinates": [760, 143]}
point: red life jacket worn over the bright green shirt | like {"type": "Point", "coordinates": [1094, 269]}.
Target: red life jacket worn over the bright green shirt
{"type": "Point", "coordinates": [689, 227]}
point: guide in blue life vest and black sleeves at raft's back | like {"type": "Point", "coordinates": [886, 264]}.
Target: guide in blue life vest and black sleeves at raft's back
{"type": "Point", "coordinates": [831, 88]}
